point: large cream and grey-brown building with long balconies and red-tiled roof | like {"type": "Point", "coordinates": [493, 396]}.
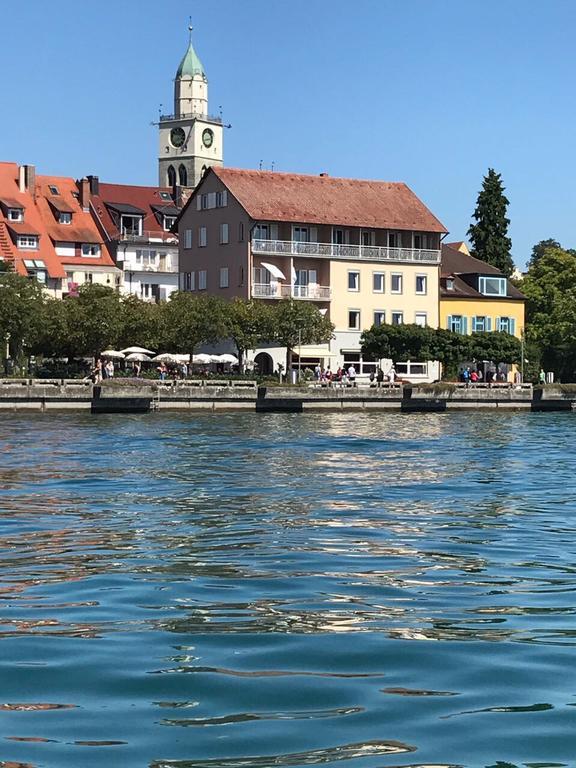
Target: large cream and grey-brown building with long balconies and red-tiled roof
{"type": "Point", "coordinates": [365, 252]}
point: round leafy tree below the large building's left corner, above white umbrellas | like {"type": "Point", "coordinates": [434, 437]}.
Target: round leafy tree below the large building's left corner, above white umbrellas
{"type": "Point", "coordinates": [188, 320]}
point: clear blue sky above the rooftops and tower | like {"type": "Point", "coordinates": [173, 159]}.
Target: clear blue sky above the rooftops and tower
{"type": "Point", "coordinates": [430, 92]}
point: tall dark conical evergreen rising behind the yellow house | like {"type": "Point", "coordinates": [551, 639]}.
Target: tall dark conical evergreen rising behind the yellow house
{"type": "Point", "coordinates": [489, 235]}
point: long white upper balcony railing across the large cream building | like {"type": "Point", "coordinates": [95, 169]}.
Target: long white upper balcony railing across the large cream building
{"type": "Point", "coordinates": [352, 252]}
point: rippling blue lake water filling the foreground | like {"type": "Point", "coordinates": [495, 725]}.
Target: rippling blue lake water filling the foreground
{"type": "Point", "coordinates": [258, 590]}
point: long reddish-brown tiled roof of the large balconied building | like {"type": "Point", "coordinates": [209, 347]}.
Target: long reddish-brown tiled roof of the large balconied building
{"type": "Point", "coordinates": [325, 200]}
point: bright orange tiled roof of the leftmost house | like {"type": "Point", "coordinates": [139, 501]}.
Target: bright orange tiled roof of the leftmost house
{"type": "Point", "coordinates": [9, 190]}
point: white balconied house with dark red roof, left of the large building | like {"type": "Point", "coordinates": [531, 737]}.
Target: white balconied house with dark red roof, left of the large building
{"type": "Point", "coordinates": [136, 224]}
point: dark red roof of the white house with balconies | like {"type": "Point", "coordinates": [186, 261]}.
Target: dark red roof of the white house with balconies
{"type": "Point", "coordinates": [146, 199]}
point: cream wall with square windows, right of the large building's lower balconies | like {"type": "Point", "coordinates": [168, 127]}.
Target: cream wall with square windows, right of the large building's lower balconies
{"type": "Point", "coordinates": [417, 301]}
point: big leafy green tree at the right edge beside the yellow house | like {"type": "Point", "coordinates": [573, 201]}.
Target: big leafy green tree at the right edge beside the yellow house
{"type": "Point", "coordinates": [550, 288]}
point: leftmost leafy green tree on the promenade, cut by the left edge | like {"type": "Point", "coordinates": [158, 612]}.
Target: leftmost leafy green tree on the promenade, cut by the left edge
{"type": "Point", "coordinates": [21, 302]}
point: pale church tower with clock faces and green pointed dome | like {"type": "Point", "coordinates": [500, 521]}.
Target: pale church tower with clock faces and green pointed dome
{"type": "Point", "coordinates": [190, 140]}
